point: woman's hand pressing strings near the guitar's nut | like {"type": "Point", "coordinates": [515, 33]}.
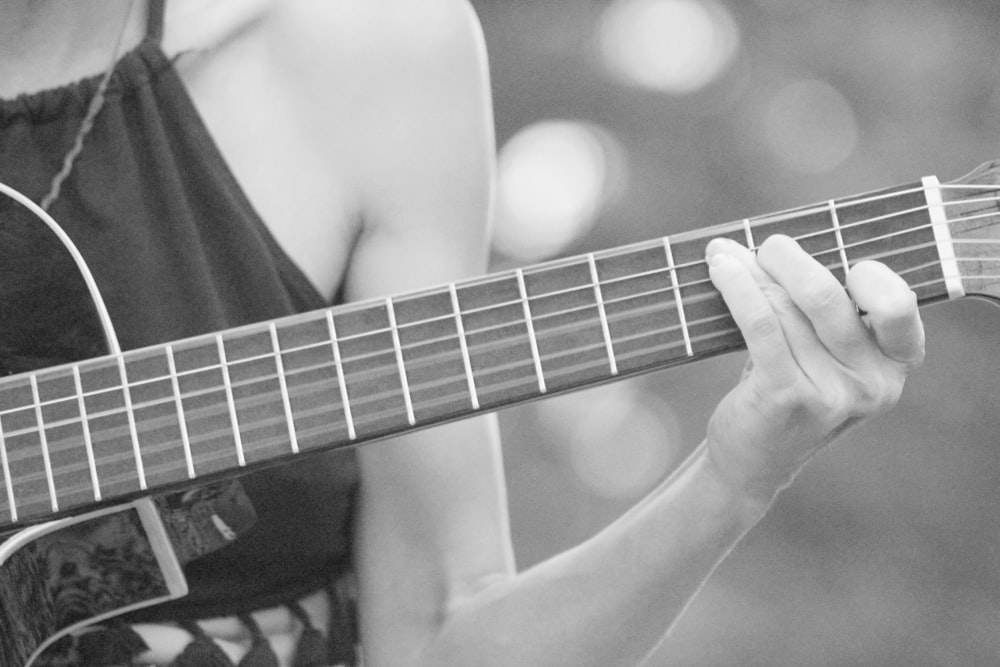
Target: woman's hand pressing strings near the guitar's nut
{"type": "Point", "coordinates": [816, 366]}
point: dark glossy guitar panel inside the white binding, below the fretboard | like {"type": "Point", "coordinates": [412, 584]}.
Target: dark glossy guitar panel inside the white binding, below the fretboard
{"type": "Point", "coordinates": [95, 567]}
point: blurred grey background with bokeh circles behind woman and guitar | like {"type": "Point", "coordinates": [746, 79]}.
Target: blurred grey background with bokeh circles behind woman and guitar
{"type": "Point", "coordinates": [623, 120]}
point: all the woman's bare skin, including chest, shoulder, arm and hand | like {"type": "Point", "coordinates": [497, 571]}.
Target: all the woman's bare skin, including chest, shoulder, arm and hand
{"type": "Point", "coordinates": [370, 156]}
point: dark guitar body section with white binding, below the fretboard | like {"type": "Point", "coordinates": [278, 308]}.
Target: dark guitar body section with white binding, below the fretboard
{"type": "Point", "coordinates": [62, 576]}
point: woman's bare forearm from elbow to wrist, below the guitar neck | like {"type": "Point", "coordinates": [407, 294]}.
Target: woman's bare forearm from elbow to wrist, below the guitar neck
{"type": "Point", "coordinates": [611, 600]}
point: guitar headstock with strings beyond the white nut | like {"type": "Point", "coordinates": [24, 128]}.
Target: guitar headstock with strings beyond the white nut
{"type": "Point", "coordinates": [972, 206]}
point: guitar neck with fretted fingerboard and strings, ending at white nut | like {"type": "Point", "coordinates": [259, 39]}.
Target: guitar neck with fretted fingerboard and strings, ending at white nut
{"type": "Point", "coordinates": [115, 427]}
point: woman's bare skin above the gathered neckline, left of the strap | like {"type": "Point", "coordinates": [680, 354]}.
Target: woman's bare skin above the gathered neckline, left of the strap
{"type": "Point", "coordinates": [49, 43]}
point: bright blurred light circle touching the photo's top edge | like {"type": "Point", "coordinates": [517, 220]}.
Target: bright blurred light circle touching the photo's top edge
{"type": "Point", "coordinates": [673, 46]}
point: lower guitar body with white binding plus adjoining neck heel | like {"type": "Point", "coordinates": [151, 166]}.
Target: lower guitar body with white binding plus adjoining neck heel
{"type": "Point", "coordinates": [60, 577]}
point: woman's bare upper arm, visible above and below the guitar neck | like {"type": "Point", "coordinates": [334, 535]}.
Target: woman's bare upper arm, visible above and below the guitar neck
{"type": "Point", "coordinates": [432, 523]}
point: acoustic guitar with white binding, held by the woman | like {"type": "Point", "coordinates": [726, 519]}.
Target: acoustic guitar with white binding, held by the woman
{"type": "Point", "coordinates": [88, 449]}
